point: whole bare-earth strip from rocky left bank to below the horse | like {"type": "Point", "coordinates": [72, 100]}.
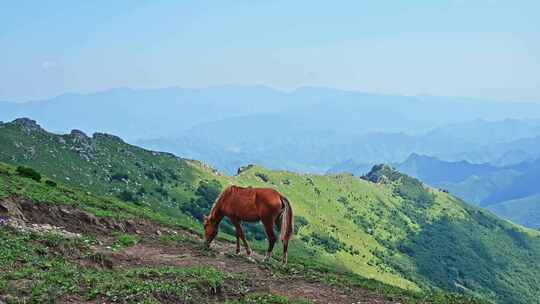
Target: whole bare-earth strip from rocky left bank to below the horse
{"type": "Point", "coordinates": [152, 251]}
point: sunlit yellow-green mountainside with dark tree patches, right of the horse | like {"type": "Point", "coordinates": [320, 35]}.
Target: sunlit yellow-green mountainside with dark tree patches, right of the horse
{"type": "Point", "coordinates": [447, 244]}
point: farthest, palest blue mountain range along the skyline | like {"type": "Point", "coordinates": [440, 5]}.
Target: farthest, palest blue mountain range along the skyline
{"type": "Point", "coordinates": [159, 113]}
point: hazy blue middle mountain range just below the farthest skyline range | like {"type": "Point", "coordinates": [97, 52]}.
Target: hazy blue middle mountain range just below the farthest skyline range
{"type": "Point", "coordinates": [279, 142]}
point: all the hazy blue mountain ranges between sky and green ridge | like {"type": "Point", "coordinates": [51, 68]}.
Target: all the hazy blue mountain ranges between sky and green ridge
{"type": "Point", "coordinates": [484, 152]}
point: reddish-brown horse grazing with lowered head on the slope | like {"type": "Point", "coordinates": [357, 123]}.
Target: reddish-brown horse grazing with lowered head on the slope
{"type": "Point", "coordinates": [252, 205]}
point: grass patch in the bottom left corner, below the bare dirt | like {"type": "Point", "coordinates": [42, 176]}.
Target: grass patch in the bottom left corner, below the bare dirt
{"type": "Point", "coordinates": [36, 269]}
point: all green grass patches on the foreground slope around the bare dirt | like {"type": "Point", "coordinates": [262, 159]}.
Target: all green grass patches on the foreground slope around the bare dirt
{"type": "Point", "coordinates": [53, 265]}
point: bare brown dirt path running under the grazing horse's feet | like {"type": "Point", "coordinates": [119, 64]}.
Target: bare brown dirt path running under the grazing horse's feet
{"type": "Point", "coordinates": [151, 252]}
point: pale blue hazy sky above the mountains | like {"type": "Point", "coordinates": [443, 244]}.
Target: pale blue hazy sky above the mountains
{"type": "Point", "coordinates": [482, 48]}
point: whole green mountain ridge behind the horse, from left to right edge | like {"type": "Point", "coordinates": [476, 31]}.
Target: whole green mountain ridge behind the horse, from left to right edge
{"type": "Point", "coordinates": [388, 226]}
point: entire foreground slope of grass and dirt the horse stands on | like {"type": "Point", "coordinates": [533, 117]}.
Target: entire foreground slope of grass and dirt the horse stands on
{"type": "Point", "coordinates": [64, 245]}
